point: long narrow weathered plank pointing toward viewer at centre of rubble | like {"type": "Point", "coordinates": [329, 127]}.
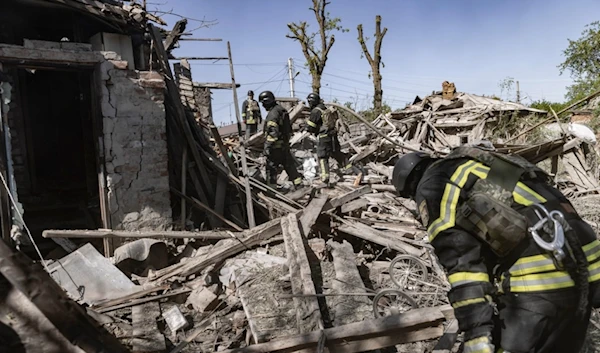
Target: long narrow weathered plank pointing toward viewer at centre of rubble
{"type": "Point", "coordinates": [308, 314]}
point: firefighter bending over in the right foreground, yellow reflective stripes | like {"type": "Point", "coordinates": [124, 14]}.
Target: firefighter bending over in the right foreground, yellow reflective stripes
{"type": "Point", "coordinates": [508, 291]}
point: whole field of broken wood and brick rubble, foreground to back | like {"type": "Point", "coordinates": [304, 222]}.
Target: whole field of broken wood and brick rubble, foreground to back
{"type": "Point", "coordinates": [347, 267]}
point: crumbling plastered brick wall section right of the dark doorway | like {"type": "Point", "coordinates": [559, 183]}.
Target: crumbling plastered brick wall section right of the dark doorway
{"type": "Point", "coordinates": [135, 147]}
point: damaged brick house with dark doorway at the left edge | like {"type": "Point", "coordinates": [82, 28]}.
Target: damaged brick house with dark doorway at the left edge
{"type": "Point", "coordinates": [84, 140]}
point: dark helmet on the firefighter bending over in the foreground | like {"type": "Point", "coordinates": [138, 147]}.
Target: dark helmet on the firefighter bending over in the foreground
{"type": "Point", "coordinates": [407, 168]}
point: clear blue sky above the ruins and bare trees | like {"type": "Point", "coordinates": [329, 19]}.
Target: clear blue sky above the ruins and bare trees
{"type": "Point", "coordinates": [473, 43]}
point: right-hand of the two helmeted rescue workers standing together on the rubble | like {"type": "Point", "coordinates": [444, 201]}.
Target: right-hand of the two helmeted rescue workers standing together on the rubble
{"type": "Point", "coordinates": [322, 123]}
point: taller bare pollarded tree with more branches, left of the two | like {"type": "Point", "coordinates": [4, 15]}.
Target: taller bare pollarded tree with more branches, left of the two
{"type": "Point", "coordinates": [316, 57]}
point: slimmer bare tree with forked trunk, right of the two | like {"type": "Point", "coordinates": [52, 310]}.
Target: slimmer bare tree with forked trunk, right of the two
{"type": "Point", "coordinates": [374, 61]}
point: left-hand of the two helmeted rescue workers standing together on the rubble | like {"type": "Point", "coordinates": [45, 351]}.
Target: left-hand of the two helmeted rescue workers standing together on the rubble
{"type": "Point", "coordinates": [277, 143]}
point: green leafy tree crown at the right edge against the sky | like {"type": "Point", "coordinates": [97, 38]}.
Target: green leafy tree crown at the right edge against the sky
{"type": "Point", "coordinates": [582, 60]}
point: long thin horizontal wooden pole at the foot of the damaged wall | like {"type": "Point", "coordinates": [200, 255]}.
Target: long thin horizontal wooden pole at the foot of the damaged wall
{"type": "Point", "coordinates": [107, 233]}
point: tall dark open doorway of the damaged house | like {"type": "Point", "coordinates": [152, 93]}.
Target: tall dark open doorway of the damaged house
{"type": "Point", "coordinates": [60, 153]}
